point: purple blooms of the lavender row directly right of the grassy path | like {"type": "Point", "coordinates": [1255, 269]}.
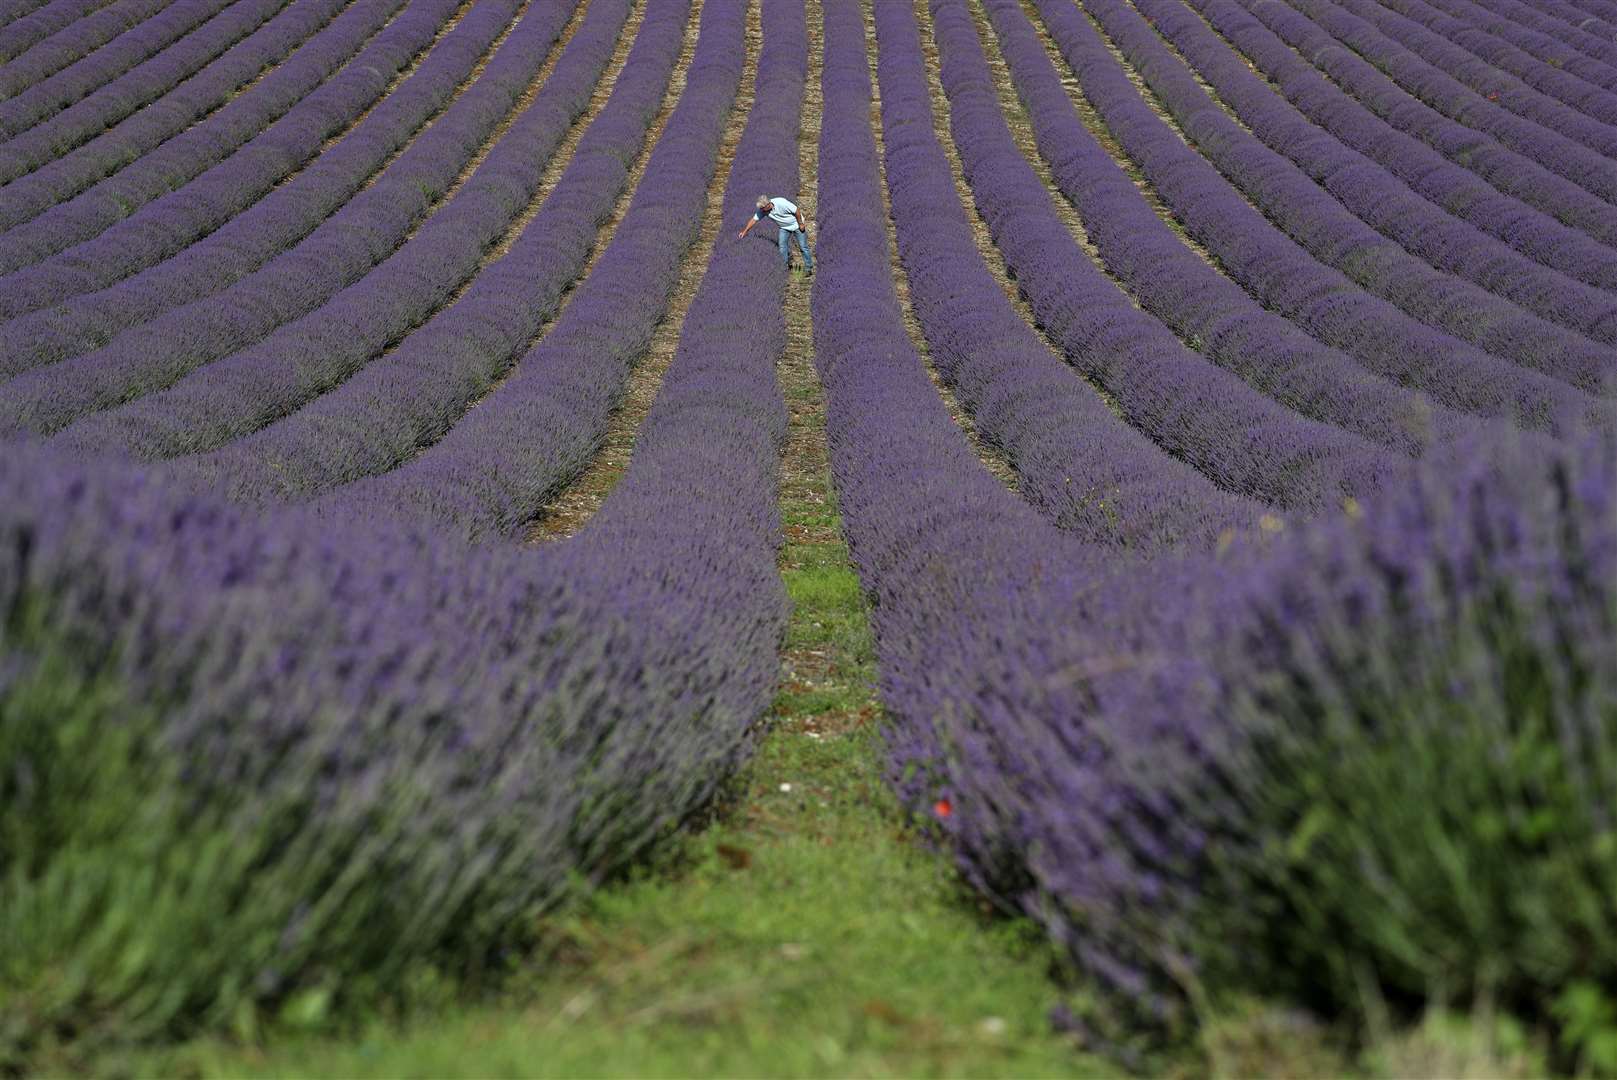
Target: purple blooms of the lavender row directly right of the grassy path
{"type": "Point", "coordinates": [1066, 770]}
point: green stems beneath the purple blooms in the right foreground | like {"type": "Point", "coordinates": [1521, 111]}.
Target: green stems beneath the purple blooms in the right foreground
{"type": "Point", "coordinates": [1437, 832]}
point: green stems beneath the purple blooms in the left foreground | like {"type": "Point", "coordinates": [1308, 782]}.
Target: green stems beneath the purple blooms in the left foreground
{"type": "Point", "coordinates": [133, 908]}
